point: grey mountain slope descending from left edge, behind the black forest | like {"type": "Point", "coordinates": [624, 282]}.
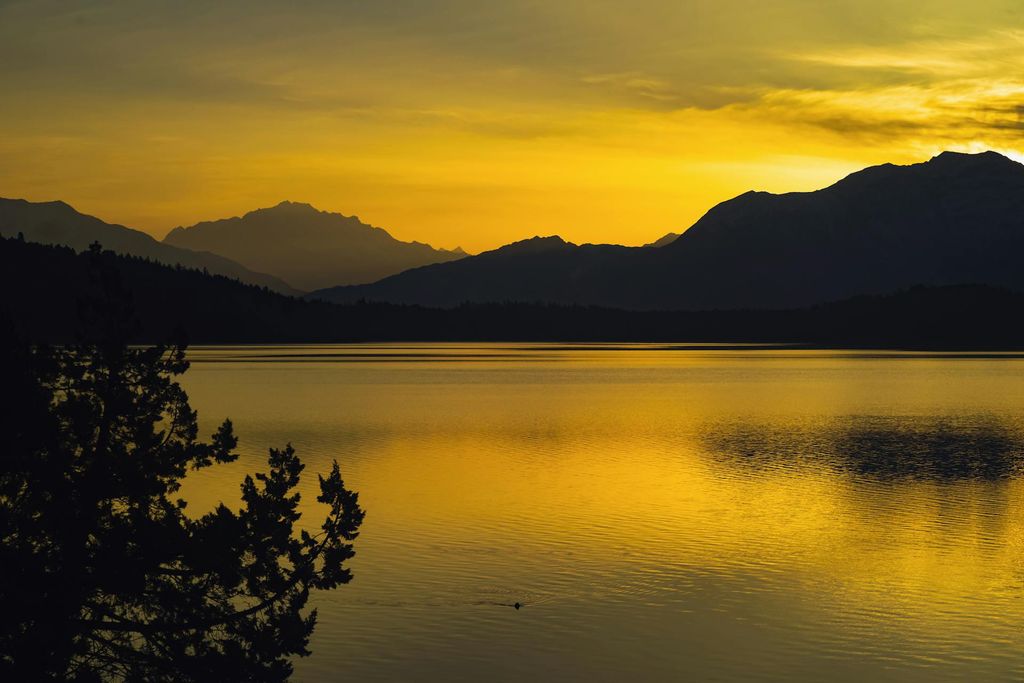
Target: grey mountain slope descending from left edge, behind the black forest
{"type": "Point", "coordinates": [58, 224]}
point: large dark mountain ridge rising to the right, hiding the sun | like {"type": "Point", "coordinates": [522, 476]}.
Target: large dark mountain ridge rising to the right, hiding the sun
{"type": "Point", "coordinates": [957, 219]}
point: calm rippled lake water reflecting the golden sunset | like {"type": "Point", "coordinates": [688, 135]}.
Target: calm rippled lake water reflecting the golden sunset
{"type": "Point", "coordinates": [664, 514]}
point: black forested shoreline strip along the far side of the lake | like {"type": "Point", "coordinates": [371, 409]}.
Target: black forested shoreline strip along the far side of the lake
{"type": "Point", "coordinates": [42, 285]}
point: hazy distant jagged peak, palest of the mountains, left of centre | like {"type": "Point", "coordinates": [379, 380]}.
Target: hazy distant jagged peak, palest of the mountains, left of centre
{"type": "Point", "coordinates": [309, 248]}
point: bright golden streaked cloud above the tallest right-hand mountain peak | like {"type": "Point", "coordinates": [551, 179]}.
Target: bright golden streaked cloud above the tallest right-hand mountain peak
{"type": "Point", "coordinates": [945, 92]}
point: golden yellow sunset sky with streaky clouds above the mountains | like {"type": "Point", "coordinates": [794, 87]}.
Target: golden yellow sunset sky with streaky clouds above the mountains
{"type": "Point", "coordinates": [475, 124]}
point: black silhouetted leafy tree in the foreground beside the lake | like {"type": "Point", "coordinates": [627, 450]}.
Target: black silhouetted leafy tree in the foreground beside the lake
{"type": "Point", "coordinates": [105, 577]}
